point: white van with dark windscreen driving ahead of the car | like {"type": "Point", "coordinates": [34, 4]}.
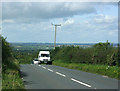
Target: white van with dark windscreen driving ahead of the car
{"type": "Point", "coordinates": [44, 57]}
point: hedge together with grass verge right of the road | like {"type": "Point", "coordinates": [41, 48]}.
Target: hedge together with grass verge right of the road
{"type": "Point", "coordinates": [102, 58]}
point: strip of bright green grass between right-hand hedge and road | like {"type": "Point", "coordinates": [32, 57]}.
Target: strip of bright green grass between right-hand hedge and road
{"type": "Point", "coordinates": [110, 71]}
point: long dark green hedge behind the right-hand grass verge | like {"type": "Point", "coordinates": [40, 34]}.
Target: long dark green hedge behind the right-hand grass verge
{"type": "Point", "coordinates": [101, 53]}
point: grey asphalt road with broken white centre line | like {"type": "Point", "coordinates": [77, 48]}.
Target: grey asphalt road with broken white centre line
{"type": "Point", "coordinates": [56, 77]}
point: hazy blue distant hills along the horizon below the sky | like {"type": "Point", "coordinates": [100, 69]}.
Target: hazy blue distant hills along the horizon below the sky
{"type": "Point", "coordinates": [39, 46]}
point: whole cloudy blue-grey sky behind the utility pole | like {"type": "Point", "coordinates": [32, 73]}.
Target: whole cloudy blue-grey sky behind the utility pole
{"type": "Point", "coordinates": [81, 22]}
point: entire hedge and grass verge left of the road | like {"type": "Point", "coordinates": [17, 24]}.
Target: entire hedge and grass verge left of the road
{"type": "Point", "coordinates": [10, 69]}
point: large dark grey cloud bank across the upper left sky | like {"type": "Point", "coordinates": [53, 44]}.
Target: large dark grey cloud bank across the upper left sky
{"type": "Point", "coordinates": [35, 11]}
